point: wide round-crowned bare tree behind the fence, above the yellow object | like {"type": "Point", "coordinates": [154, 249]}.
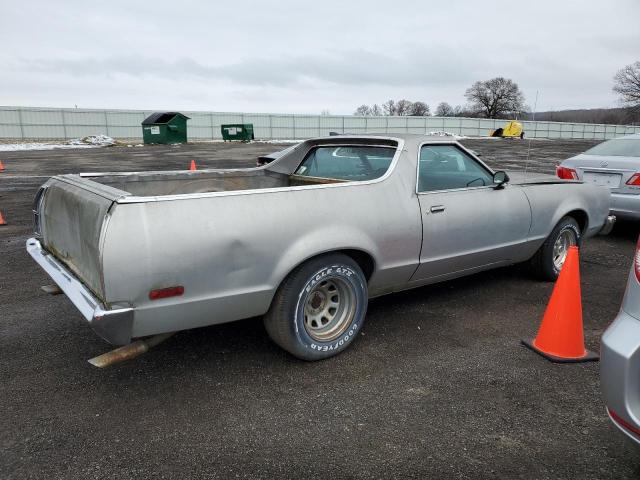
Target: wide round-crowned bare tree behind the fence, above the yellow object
{"type": "Point", "coordinates": [495, 98]}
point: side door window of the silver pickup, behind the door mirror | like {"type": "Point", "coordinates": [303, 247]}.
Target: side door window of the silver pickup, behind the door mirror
{"type": "Point", "coordinates": [445, 167]}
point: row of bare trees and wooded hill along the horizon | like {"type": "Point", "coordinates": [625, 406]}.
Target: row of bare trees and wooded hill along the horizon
{"type": "Point", "coordinates": [501, 98]}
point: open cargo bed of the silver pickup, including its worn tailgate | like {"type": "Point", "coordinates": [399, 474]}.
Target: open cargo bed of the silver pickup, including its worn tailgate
{"type": "Point", "coordinates": [73, 211]}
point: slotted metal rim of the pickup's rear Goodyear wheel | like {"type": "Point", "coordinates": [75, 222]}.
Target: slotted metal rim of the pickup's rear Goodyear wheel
{"type": "Point", "coordinates": [329, 309]}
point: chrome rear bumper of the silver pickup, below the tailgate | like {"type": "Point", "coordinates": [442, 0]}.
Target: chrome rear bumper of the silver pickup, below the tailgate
{"type": "Point", "coordinates": [114, 325]}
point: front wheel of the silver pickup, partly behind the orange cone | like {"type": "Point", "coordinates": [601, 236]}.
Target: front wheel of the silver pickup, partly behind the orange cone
{"type": "Point", "coordinates": [549, 259]}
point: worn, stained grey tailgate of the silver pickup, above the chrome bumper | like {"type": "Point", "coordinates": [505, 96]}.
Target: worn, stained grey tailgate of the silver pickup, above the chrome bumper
{"type": "Point", "coordinates": [70, 215]}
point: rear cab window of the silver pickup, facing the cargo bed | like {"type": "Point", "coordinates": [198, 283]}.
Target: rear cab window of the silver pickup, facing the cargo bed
{"type": "Point", "coordinates": [358, 162]}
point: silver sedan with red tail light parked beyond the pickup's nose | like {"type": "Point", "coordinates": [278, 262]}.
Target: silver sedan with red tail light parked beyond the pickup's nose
{"type": "Point", "coordinates": [614, 164]}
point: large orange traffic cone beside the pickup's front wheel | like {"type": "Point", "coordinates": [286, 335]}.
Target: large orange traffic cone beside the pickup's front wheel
{"type": "Point", "coordinates": [560, 337]}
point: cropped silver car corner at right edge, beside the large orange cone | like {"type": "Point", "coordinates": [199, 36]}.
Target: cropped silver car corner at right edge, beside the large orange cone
{"type": "Point", "coordinates": [620, 359]}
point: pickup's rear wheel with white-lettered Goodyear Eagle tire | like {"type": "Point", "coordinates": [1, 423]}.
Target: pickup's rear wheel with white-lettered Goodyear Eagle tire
{"type": "Point", "coordinates": [319, 308]}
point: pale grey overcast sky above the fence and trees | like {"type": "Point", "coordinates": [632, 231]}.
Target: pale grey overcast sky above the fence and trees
{"type": "Point", "coordinates": [308, 56]}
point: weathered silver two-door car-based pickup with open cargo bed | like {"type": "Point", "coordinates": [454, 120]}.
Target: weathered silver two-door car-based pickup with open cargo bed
{"type": "Point", "coordinates": [304, 241]}
